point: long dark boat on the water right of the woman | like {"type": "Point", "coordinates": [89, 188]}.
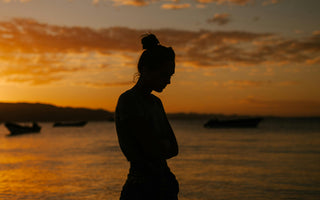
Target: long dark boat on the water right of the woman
{"type": "Point", "coordinates": [233, 123]}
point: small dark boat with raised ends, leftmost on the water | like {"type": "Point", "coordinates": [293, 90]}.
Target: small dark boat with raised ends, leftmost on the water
{"type": "Point", "coordinates": [16, 129]}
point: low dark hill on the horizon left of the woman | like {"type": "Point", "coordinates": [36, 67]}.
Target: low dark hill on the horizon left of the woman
{"type": "Point", "coordinates": [25, 112]}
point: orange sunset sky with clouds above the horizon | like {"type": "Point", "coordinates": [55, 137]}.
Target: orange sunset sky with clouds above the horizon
{"type": "Point", "coordinates": [256, 57]}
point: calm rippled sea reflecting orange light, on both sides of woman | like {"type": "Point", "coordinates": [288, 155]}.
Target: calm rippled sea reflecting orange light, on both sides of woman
{"type": "Point", "coordinates": [278, 160]}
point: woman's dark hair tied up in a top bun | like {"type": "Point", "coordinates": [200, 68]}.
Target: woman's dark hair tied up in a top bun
{"type": "Point", "coordinates": [155, 54]}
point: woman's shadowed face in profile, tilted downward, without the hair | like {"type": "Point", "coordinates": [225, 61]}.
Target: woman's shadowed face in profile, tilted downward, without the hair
{"type": "Point", "coordinates": [158, 79]}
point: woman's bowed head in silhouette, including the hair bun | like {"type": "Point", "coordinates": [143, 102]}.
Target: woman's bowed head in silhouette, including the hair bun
{"type": "Point", "coordinates": [156, 64]}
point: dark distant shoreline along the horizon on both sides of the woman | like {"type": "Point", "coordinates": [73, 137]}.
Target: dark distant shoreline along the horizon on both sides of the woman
{"type": "Point", "coordinates": [41, 112]}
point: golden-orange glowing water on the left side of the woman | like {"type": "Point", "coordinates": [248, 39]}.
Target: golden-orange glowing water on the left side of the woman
{"type": "Point", "coordinates": [60, 164]}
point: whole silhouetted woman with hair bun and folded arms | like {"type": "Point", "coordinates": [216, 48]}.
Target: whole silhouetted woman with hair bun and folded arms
{"type": "Point", "coordinates": [145, 135]}
